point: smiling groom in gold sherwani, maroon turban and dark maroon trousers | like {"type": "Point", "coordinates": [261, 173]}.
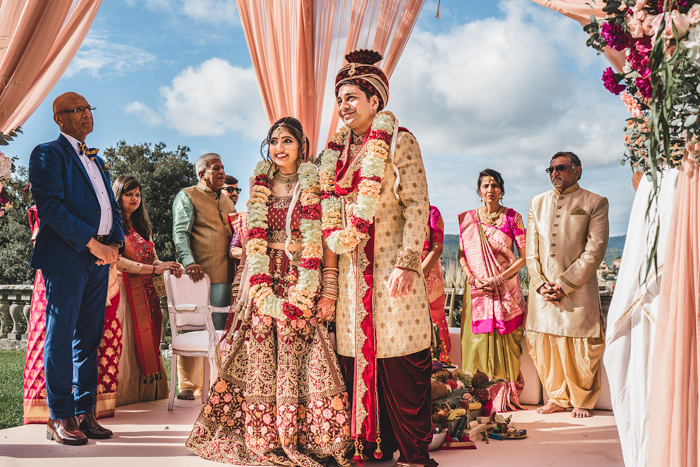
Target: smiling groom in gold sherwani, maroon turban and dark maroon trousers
{"type": "Point", "coordinates": [382, 318]}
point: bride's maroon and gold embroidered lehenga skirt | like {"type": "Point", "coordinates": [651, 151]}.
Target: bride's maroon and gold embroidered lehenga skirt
{"type": "Point", "coordinates": [280, 398]}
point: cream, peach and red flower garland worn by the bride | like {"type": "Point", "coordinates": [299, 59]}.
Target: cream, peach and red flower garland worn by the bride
{"type": "Point", "coordinates": [301, 300]}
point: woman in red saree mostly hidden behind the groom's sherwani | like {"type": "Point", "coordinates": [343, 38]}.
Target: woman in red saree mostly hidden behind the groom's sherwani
{"type": "Point", "coordinates": [434, 277]}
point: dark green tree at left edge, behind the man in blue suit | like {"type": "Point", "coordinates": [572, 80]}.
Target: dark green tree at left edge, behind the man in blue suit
{"type": "Point", "coordinates": [15, 234]}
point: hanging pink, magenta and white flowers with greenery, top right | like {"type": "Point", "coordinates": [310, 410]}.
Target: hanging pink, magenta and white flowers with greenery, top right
{"type": "Point", "coordinates": [660, 81]}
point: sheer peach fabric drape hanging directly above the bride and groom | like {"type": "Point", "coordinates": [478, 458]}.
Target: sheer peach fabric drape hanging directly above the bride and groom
{"type": "Point", "coordinates": [296, 47]}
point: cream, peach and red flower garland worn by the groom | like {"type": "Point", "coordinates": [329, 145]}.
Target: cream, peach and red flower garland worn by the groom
{"type": "Point", "coordinates": [362, 212]}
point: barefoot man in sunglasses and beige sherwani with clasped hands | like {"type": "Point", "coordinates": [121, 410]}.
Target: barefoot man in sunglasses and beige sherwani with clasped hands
{"type": "Point", "coordinates": [567, 236]}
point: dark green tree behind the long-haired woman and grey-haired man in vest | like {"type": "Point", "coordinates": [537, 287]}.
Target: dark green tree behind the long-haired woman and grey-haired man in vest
{"type": "Point", "coordinates": [162, 174]}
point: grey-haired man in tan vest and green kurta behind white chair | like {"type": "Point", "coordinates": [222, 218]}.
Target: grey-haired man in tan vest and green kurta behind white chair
{"type": "Point", "coordinates": [202, 235]}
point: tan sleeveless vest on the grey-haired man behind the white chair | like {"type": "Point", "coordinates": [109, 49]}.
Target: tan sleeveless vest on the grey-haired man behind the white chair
{"type": "Point", "coordinates": [211, 233]}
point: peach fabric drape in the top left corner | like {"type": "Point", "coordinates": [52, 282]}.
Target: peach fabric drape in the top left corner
{"type": "Point", "coordinates": [38, 40]}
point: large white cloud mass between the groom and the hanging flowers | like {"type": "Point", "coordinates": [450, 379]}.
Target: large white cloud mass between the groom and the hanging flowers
{"type": "Point", "coordinates": [507, 93]}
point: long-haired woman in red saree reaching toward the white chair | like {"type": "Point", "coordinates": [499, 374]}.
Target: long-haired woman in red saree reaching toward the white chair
{"type": "Point", "coordinates": [141, 367]}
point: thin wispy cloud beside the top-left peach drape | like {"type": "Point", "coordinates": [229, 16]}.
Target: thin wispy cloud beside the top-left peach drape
{"type": "Point", "coordinates": [98, 56]}
